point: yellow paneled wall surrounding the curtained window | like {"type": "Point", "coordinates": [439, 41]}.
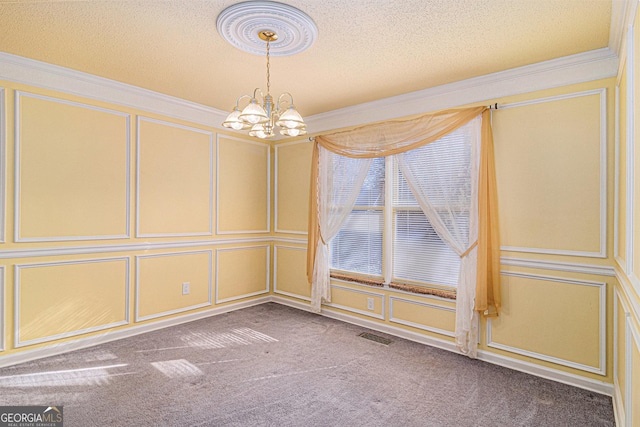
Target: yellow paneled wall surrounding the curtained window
{"type": "Point", "coordinates": [555, 171]}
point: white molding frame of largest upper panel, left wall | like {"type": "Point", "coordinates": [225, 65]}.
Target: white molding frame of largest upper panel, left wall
{"type": "Point", "coordinates": [17, 237]}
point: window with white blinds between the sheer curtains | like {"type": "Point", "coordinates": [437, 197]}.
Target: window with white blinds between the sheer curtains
{"type": "Point", "coordinates": [388, 237]}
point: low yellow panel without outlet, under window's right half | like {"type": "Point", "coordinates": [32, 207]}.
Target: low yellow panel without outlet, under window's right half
{"type": "Point", "coordinates": [430, 317]}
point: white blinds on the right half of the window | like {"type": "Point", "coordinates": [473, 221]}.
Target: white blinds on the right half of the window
{"type": "Point", "coordinates": [442, 170]}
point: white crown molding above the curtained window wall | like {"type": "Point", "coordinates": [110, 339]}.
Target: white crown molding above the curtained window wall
{"type": "Point", "coordinates": [579, 68]}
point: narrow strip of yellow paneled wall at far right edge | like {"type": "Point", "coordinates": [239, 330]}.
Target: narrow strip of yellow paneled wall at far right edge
{"type": "Point", "coordinates": [627, 262]}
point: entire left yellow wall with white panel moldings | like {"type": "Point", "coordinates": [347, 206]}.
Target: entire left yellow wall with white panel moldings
{"type": "Point", "coordinates": [114, 210]}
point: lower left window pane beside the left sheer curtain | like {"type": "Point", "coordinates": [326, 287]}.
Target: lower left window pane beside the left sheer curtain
{"type": "Point", "coordinates": [358, 245]}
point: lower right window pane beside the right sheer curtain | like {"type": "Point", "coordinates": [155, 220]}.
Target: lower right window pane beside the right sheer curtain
{"type": "Point", "coordinates": [419, 253]}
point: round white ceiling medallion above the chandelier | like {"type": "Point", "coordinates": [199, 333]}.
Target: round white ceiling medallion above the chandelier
{"type": "Point", "coordinates": [241, 24]}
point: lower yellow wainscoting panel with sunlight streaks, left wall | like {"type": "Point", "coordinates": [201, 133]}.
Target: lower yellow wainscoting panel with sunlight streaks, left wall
{"type": "Point", "coordinates": [55, 300]}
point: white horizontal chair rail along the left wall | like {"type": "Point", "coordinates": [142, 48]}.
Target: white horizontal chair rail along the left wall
{"type": "Point", "coordinates": [128, 247]}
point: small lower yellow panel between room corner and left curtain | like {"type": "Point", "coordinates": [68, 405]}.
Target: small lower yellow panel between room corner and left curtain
{"type": "Point", "coordinates": [290, 272]}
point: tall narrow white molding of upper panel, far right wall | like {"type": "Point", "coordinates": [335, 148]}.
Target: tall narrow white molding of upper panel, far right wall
{"type": "Point", "coordinates": [630, 155]}
